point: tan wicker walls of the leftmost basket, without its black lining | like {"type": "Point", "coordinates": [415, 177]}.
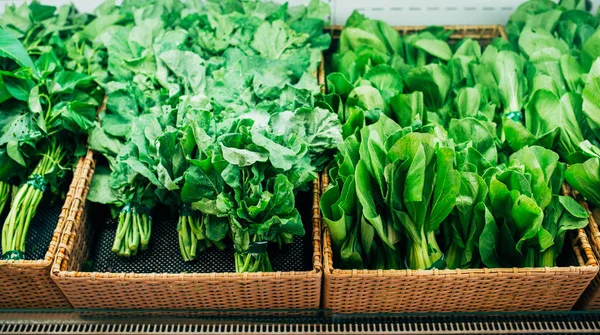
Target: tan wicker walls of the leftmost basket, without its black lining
{"type": "Point", "coordinates": [27, 283]}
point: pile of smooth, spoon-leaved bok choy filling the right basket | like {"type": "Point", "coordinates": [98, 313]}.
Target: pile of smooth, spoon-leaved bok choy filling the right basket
{"type": "Point", "coordinates": [454, 155]}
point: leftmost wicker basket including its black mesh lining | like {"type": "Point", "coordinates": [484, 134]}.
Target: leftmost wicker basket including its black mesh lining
{"type": "Point", "coordinates": [27, 283]}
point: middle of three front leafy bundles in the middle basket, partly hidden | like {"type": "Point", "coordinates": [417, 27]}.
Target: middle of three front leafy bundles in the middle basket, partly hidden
{"type": "Point", "coordinates": [181, 170]}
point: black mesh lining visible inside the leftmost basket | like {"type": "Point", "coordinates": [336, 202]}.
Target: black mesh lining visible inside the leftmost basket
{"type": "Point", "coordinates": [40, 230]}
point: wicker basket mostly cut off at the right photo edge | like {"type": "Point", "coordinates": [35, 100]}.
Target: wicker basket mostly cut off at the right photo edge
{"type": "Point", "coordinates": [591, 297]}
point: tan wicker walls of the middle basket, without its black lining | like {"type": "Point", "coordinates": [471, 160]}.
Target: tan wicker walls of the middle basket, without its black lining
{"type": "Point", "coordinates": [277, 290]}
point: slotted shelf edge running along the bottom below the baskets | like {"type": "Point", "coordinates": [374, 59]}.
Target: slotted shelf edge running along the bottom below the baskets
{"type": "Point", "coordinates": [290, 322]}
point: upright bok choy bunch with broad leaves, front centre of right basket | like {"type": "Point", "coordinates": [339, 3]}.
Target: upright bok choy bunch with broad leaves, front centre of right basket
{"type": "Point", "coordinates": [429, 184]}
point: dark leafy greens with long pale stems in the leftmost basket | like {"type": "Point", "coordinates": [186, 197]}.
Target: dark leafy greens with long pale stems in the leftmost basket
{"type": "Point", "coordinates": [48, 104]}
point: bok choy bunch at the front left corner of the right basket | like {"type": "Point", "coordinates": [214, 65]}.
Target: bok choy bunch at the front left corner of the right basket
{"type": "Point", "coordinates": [363, 235]}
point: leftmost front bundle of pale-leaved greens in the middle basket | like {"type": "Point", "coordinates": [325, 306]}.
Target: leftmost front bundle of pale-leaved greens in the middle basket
{"type": "Point", "coordinates": [130, 185]}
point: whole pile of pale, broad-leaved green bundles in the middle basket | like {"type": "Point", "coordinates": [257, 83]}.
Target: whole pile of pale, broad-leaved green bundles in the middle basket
{"type": "Point", "coordinates": [210, 111]}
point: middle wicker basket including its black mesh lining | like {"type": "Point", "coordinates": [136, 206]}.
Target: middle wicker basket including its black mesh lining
{"type": "Point", "coordinates": [194, 286]}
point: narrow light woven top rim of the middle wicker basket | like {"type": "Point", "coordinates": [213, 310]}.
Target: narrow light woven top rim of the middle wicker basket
{"type": "Point", "coordinates": [67, 240]}
